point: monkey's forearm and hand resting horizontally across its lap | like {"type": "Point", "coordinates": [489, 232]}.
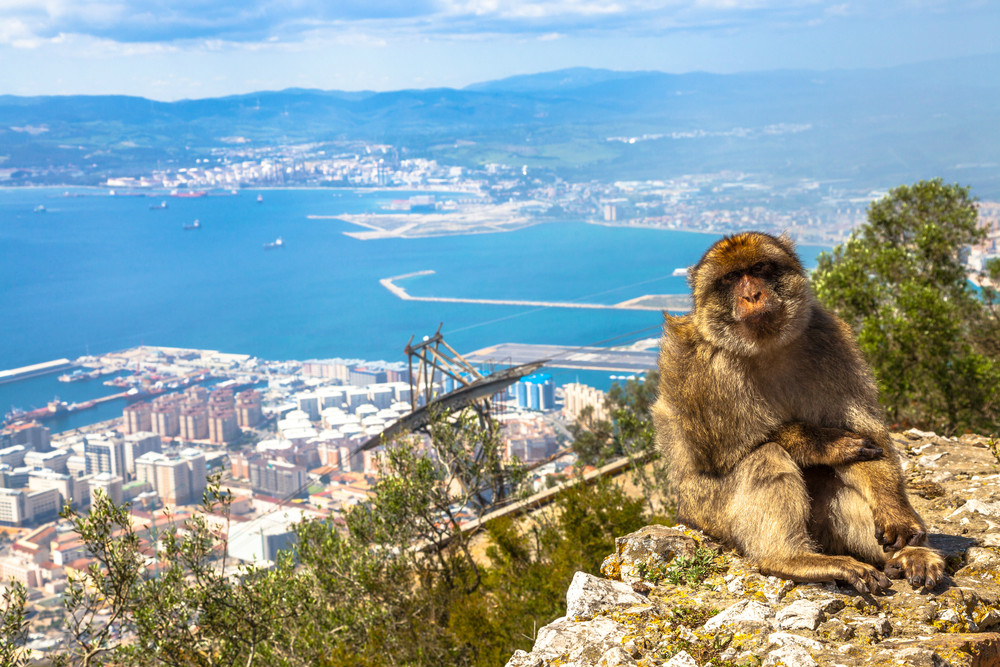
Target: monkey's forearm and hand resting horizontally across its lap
{"type": "Point", "coordinates": [810, 445]}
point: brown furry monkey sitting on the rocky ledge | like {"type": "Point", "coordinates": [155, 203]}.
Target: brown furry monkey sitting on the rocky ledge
{"type": "Point", "coordinates": [769, 417]}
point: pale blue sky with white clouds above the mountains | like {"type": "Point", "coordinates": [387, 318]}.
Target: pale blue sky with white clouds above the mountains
{"type": "Point", "coordinates": [177, 49]}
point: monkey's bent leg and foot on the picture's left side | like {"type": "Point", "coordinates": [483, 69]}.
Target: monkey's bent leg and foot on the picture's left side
{"type": "Point", "coordinates": [766, 517]}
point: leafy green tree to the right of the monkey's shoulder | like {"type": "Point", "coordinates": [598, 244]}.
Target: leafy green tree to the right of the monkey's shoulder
{"type": "Point", "coordinates": [901, 283]}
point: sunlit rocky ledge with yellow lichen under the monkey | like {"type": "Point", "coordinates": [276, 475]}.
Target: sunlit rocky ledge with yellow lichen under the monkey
{"type": "Point", "coordinates": [671, 596]}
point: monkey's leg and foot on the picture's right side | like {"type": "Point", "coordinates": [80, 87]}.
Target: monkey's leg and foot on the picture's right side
{"type": "Point", "coordinates": [841, 523]}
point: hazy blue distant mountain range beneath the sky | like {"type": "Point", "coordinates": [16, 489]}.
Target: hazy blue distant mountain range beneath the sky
{"type": "Point", "coordinates": [869, 128]}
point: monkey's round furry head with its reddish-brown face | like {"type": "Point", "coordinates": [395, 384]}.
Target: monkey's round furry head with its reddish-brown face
{"type": "Point", "coordinates": [750, 293]}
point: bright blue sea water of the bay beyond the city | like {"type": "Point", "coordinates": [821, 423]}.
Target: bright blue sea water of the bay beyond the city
{"type": "Point", "coordinates": [94, 273]}
